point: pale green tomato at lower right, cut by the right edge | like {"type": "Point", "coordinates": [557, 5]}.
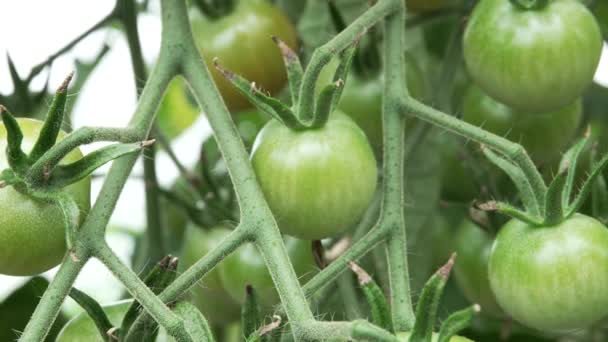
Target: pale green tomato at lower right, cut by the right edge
{"type": "Point", "coordinates": [552, 278]}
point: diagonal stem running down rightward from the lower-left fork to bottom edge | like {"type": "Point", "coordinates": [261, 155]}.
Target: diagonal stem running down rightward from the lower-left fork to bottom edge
{"type": "Point", "coordinates": [141, 293]}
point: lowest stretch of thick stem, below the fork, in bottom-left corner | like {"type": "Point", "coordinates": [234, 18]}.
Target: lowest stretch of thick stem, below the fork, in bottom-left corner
{"type": "Point", "coordinates": [47, 310]}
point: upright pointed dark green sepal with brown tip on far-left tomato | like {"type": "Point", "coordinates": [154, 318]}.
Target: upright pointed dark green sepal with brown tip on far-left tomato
{"type": "Point", "coordinates": [52, 123]}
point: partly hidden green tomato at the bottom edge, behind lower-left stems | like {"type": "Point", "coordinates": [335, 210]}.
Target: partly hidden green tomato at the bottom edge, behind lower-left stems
{"type": "Point", "coordinates": [82, 328]}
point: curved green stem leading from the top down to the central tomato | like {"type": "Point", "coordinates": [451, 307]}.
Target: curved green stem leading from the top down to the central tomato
{"type": "Point", "coordinates": [323, 54]}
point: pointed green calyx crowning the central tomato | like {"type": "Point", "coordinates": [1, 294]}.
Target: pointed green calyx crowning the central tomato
{"type": "Point", "coordinates": [320, 107]}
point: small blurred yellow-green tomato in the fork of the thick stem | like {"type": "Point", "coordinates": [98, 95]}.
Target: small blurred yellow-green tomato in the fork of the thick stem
{"type": "Point", "coordinates": [177, 111]}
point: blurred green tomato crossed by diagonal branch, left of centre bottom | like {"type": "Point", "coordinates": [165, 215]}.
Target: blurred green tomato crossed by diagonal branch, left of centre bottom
{"type": "Point", "coordinates": [209, 294]}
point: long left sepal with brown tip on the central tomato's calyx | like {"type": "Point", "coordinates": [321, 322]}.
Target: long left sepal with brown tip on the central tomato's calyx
{"type": "Point", "coordinates": [261, 101]}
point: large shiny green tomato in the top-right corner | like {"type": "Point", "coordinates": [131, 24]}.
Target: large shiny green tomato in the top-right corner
{"type": "Point", "coordinates": [534, 60]}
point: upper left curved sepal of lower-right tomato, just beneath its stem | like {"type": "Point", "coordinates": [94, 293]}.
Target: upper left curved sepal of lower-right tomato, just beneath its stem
{"type": "Point", "coordinates": [526, 192]}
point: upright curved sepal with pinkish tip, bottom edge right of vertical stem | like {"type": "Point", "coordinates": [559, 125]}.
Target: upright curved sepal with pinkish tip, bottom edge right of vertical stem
{"type": "Point", "coordinates": [426, 310]}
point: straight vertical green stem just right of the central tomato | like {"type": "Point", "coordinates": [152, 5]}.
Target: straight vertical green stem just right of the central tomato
{"type": "Point", "coordinates": [392, 215]}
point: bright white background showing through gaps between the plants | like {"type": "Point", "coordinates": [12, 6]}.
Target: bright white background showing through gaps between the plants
{"type": "Point", "coordinates": [31, 30]}
